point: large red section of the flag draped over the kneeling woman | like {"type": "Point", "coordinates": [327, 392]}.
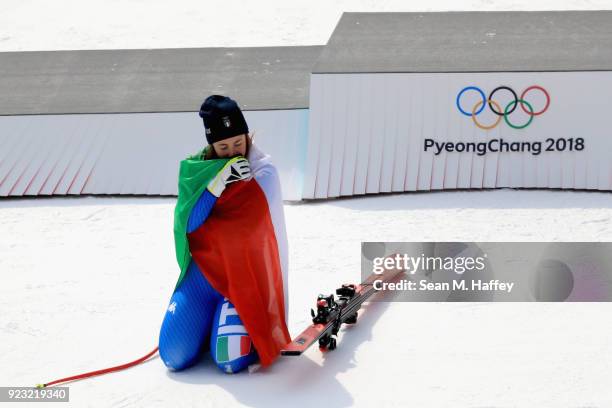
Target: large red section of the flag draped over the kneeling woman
{"type": "Point", "coordinates": [239, 231]}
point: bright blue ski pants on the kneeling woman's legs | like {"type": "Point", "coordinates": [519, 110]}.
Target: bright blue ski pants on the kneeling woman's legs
{"type": "Point", "coordinates": [197, 317]}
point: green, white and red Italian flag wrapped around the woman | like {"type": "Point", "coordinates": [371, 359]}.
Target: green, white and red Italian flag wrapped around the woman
{"type": "Point", "coordinates": [241, 248]}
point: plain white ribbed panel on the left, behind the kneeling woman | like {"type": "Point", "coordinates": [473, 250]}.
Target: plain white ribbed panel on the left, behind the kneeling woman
{"type": "Point", "coordinates": [136, 153]}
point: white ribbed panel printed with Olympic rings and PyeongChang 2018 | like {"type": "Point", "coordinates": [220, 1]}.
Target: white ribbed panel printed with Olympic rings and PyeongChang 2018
{"type": "Point", "coordinates": [384, 132]}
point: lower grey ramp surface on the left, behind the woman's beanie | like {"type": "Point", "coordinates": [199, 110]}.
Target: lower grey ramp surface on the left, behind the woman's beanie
{"type": "Point", "coordinates": [154, 80]}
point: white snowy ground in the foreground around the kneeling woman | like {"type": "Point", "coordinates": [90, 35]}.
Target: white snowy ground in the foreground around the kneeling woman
{"type": "Point", "coordinates": [87, 281]}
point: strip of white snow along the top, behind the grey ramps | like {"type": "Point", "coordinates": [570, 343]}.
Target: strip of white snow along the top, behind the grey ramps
{"type": "Point", "coordinates": [29, 25]}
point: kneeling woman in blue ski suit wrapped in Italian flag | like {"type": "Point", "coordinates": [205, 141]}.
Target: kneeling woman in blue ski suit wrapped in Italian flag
{"type": "Point", "coordinates": [231, 246]}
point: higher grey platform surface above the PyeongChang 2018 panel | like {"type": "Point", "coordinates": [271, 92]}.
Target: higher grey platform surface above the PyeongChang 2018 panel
{"type": "Point", "coordinates": [469, 42]}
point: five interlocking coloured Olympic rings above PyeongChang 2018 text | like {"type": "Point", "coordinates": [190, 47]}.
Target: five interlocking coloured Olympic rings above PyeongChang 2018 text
{"type": "Point", "coordinates": [497, 109]}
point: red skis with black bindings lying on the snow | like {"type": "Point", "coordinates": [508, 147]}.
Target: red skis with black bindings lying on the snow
{"type": "Point", "coordinates": [334, 311]}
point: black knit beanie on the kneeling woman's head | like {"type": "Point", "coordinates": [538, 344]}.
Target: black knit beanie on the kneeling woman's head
{"type": "Point", "coordinates": [222, 118]}
